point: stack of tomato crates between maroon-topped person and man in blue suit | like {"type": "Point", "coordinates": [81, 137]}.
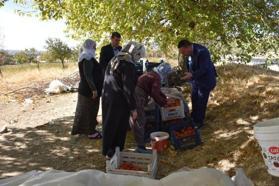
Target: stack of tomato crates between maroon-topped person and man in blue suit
{"type": "Point", "coordinates": [174, 119]}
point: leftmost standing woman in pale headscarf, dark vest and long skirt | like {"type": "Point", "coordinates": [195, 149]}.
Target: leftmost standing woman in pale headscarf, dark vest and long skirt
{"type": "Point", "coordinates": [89, 92]}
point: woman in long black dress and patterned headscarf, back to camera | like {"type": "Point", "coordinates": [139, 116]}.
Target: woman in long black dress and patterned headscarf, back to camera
{"type": "Point", "coordinates": [118, 102]}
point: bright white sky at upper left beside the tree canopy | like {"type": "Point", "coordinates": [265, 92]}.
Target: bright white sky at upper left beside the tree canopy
{"type": "Point", "coordinates": [21, 32]}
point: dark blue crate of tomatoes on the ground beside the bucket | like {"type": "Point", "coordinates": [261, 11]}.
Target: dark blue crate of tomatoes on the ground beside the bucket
{"type": "Point", "coordinates": [189, 139]}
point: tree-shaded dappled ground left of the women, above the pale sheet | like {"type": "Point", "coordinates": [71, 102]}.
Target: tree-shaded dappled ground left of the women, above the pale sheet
{"type": "Point", "coordinates": [49, 146]}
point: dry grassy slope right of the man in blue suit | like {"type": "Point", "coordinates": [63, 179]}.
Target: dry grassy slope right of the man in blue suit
{"type": "Point", "coordinates": [244, 95]}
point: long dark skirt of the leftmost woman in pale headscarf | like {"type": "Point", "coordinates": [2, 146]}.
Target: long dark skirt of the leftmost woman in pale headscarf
{"type": "Point", "coordinates": [86, 115]}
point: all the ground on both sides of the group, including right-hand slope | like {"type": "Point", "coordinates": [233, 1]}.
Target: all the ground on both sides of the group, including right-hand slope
{"type": "Point", "coordinates": [39, 136]}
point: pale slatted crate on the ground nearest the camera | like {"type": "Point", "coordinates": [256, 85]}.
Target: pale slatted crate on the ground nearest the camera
{"type": "Point", "coordinates": [147, 162]}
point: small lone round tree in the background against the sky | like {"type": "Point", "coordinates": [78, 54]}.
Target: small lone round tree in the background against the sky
{"type": "Point", "coordinates": [58, 50]}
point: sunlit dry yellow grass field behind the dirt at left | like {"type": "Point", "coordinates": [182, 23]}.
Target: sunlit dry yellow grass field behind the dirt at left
{"type": "Point", "coordinates": [16, 77]}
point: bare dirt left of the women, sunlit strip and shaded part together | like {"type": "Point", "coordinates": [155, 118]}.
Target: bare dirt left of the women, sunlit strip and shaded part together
{"type": "Point", "coordinates": [39, 135]}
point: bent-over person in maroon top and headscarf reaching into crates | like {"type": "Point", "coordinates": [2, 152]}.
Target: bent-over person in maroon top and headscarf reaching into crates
{"type": "Point", "coordinates": [148, 85]}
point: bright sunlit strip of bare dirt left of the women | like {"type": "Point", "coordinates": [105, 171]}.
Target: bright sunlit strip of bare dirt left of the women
{"type": "Point", "coordinates": [39, 112]}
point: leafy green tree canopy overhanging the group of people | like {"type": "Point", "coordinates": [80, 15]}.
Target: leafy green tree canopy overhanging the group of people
{"type": "Point", "coordinates": [249, 26]}
